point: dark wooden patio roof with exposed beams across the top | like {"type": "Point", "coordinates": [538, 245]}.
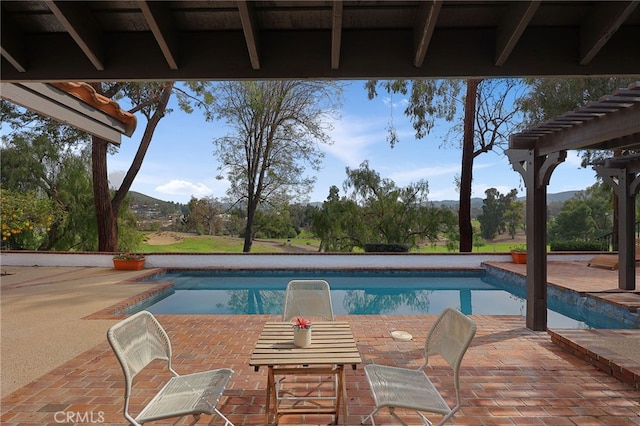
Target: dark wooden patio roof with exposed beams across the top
{"type": "Point", "coordinates": [224, 40]}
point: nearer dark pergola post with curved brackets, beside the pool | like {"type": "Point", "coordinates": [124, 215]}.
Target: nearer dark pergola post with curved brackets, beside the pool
{"type": "Point", "coordinates": [536, 172]}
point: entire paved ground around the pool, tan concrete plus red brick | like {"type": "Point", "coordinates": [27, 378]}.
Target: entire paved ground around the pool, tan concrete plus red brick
{"type": "Point", "coordinates": [55, 359]}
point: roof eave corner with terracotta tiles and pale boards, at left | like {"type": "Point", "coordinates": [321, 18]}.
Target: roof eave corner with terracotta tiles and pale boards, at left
{"type": "Point", "coordinates": [99, 117]}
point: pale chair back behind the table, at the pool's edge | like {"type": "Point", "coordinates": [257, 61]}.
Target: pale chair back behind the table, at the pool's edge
{"type": "Point", "coordinates": [309, 299]}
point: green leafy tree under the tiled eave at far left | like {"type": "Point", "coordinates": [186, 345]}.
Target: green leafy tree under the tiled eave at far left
{"type": "Point", "coordinates": [50, 160]}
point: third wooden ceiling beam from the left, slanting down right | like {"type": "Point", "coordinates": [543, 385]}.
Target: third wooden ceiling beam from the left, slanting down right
{"type": "Point", "coordinates": [158, 16]}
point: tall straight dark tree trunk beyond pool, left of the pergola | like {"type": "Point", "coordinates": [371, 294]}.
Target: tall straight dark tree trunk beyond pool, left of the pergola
{"type": "Point", "coordinates": [466, 175]}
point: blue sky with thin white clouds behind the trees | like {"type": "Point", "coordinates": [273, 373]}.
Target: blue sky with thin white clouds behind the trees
{"type": "Point", "coordinates": [180, 162]}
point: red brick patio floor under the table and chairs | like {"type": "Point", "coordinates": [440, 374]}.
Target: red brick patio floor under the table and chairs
{"type": "Point", "coordinates": [510, 376]}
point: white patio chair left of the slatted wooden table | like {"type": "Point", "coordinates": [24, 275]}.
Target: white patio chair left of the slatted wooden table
{"type": "Point", "coordinates": [140, 339]}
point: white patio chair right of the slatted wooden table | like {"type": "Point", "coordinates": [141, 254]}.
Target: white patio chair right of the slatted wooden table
{"type": "Point", "coordinates": [396, 387]}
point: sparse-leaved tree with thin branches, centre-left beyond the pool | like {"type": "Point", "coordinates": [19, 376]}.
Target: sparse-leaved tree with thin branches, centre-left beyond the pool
{"type": "Point", "coordinates": [276, 128]}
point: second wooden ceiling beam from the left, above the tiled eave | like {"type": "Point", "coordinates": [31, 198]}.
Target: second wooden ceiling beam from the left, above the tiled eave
{"type": "Point", "coordinates": [79, 23]}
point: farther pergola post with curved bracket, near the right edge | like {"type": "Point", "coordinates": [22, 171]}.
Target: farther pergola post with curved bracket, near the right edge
{"type": "Point", "coordinates": [620, 174]}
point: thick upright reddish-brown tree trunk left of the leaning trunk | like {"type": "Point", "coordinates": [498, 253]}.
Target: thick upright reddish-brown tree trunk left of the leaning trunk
{"type": "Point", "coordinates": [107, 221]}
